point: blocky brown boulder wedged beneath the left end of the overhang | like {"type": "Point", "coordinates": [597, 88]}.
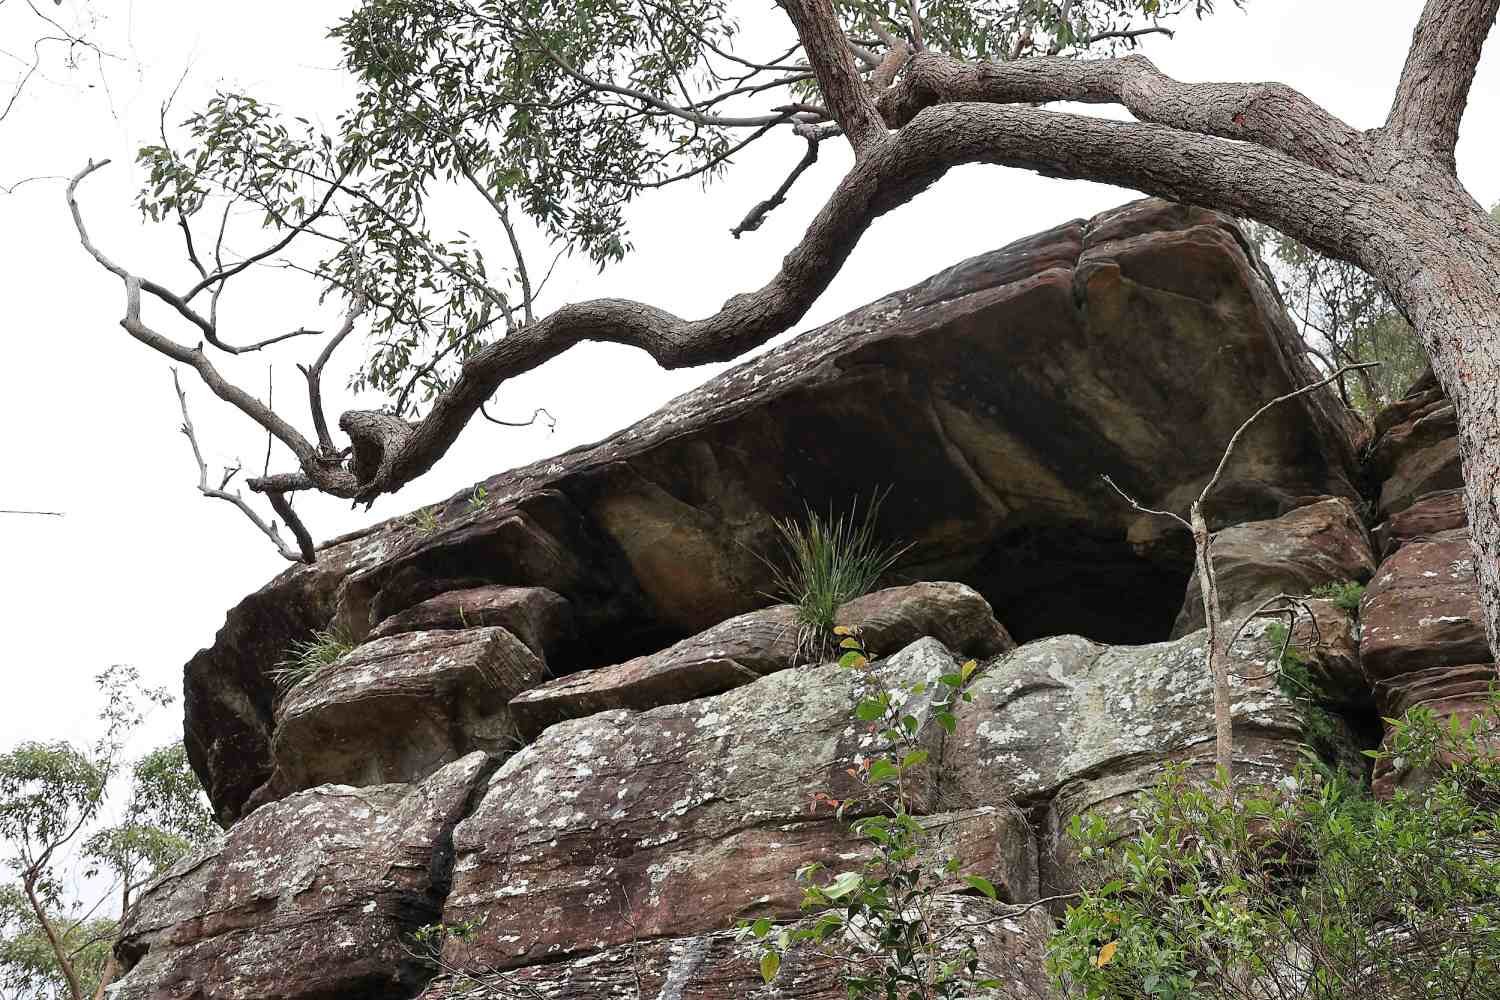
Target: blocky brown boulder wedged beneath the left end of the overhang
{"type": "Point", "coordinates": [400, 708]}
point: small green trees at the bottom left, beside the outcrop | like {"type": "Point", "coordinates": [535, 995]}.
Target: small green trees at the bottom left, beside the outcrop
{"type": "Point", "coordinates": [53, 798]}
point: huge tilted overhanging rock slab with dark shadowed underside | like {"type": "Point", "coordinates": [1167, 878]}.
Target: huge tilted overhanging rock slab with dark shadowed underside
{"type": "Point", "coordinates": [995, 395]}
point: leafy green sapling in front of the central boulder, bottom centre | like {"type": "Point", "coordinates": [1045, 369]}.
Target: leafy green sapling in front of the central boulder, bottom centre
{"type": "Point", "coordinates": [883, 920]}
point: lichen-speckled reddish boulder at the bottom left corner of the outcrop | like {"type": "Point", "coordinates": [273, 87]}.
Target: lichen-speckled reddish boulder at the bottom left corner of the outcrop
{"type": "Point", "coordinates": [307, 899]}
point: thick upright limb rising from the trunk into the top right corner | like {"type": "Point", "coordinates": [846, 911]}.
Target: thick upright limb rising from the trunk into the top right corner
{"type": "Point", "coordinates": [1438, 76]}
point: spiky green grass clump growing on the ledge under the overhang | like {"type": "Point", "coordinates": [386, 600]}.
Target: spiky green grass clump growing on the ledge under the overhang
{"type": "Point", "coordinates": [830, 561]}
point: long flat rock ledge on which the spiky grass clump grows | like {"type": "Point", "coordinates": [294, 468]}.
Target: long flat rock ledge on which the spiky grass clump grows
{"type": "Point", "coordinates": [752, 645]}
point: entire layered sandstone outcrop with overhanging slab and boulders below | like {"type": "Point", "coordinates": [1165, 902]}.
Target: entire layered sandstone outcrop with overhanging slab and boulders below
{"type": "Point", "coordinates": [572, 726]}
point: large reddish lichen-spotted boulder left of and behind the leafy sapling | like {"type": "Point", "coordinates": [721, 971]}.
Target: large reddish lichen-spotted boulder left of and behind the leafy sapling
{"type": "Point", "coordinates": [665, 824]}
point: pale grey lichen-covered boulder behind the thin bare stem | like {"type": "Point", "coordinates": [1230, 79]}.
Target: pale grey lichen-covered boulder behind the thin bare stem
{"type": "Point", "coordinates": [1067, 726]}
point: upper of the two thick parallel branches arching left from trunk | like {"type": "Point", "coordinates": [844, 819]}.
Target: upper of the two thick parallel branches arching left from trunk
{"type": "Point", "coordinates": [1273, 116]}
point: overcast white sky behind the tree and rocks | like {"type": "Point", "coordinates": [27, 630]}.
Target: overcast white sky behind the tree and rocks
{"type": "Point", "coordinates": [142, 569]}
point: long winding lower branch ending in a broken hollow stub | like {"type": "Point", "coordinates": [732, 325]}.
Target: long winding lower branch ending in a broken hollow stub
{"type": "Point", "coordinates": [1235, 178]}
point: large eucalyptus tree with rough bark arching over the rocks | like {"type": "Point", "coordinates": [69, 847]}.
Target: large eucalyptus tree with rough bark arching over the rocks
{"type": "Point", "coordinates": [565, 110]}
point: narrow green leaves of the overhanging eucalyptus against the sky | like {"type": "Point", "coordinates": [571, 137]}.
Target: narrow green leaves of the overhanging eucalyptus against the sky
{"type": "Point", "coordinates": [562, 112]}
